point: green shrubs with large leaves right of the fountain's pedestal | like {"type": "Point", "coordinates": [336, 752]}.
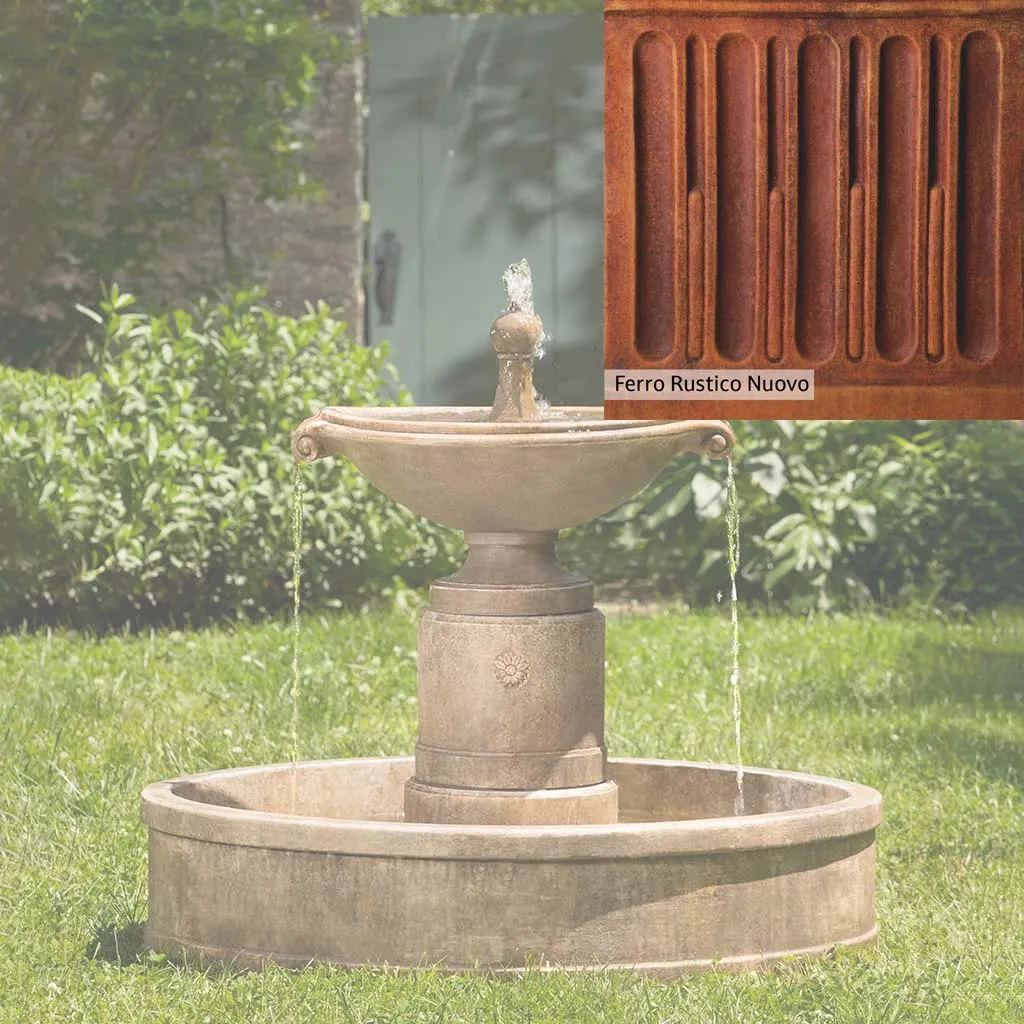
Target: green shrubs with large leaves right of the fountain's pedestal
{"type": "Point", "coordinates": [833, 515]}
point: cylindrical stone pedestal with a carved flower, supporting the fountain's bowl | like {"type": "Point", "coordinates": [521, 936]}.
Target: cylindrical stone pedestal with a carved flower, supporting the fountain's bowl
{"type": "Point", "coordinates": [511, 693]}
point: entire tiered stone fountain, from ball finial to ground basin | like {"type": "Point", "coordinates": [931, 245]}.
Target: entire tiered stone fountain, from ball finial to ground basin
{"type": "Point", "coordinates": [510, 839]}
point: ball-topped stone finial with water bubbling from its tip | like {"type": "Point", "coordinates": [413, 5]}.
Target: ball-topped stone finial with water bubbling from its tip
{"type": "Point", "coordinates": [517, 337]}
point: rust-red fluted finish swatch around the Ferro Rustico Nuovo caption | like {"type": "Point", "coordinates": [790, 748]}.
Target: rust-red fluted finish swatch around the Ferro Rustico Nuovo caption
{"type": "Point", "coordinates": [813, 186]}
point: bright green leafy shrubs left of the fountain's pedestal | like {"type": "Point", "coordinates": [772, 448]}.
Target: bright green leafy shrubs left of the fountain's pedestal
{"type": "Point", "coordinates": [158, 488]}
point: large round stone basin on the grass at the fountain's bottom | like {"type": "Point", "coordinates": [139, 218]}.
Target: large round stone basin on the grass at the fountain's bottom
{"type": "Point", "coordinates": [314, 864]}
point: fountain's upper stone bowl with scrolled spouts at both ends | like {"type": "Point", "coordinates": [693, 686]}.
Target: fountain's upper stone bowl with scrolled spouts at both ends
{"type": "Point", "coordinates": [455, 466]}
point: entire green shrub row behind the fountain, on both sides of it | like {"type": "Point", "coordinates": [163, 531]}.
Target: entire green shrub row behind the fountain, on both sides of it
{"type": "Point", "coordinates": [158, 489]}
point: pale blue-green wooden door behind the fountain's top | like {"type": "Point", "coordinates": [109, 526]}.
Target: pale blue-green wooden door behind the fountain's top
{"type": "Point", "coordinates": [486, 146]}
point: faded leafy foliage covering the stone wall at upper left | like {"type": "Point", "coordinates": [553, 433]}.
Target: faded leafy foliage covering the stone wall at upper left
{"type": "Point", "coordinates": [118, 122]}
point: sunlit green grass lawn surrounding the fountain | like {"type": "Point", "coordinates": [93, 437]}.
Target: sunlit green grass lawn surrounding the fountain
{"type": "Point", "coordinates": [930, 712]}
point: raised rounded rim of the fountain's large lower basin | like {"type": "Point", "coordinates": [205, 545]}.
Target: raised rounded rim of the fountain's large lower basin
{"type": "Point", "coordinates": [163, 809]}
